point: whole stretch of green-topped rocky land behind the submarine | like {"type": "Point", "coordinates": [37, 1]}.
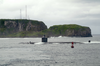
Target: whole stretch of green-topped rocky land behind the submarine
{"type": "Point", "coordinates": [35, 28]}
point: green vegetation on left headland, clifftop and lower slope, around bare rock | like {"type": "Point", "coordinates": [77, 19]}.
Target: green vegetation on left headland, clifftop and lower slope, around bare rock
{"type": "Point", "coordinates": [10, 31]}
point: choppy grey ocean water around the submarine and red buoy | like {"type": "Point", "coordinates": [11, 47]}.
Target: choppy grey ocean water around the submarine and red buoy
{"type": "Point", "coordinates": [13, 53]}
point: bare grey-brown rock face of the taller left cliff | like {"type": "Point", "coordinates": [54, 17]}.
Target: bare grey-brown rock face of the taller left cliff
{"type": "Point", "coordinates": [27, 26]}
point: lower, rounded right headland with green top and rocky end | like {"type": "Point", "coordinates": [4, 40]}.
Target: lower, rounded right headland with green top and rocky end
{"type": "Point", "coordinates": [71, 30]}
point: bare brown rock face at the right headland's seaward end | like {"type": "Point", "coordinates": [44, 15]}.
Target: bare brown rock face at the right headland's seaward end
{"type": "Point", "coordinates": [82, 32]}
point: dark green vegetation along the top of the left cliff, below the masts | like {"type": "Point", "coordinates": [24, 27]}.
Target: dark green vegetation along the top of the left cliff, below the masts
{"type": "Point", "coordinates": [22, 21]}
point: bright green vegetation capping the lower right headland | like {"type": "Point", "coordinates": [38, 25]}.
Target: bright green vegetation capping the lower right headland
{"type": "Point", "coordinates": [60, 29]}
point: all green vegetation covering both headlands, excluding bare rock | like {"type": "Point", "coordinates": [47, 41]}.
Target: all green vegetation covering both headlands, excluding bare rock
{"type": "Point", "coordinates": [56, 30]}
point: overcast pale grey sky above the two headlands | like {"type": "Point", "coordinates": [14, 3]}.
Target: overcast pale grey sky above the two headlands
{"type": "Point", "coordinates": [54, 12]}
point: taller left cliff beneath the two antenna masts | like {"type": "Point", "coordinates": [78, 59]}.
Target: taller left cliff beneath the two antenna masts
{"type": "Point", "coordinates": [10, 26]}
